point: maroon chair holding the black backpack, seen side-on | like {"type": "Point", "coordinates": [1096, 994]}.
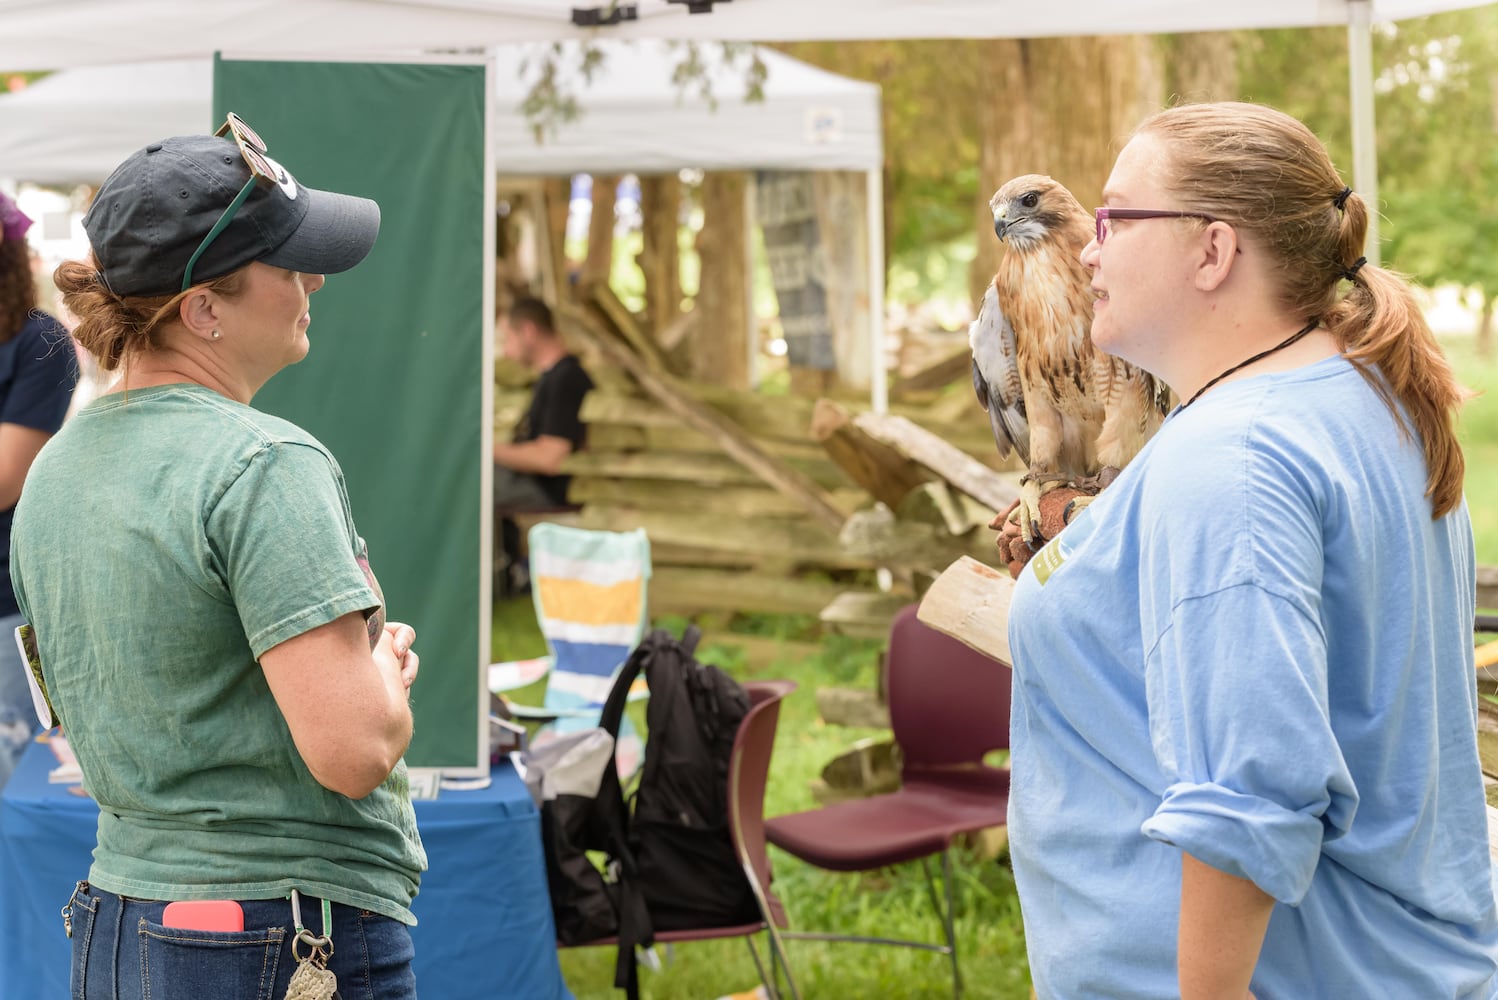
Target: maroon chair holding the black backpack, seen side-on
{"type": "Point", "coordinates": [748, 773]}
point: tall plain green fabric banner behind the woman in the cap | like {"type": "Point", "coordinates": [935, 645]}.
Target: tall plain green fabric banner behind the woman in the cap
{"type": "Point", "coordinates": [395, 382]}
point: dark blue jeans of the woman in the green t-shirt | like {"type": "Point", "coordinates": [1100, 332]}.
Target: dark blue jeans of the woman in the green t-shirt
{"type": "Point", "coordinates": [124, 953]}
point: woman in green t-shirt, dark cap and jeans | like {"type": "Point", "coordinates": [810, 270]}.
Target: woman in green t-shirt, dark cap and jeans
{"type": "Point", "coordinates": [209, 629]}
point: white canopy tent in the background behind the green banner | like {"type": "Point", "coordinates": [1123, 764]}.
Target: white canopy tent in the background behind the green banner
{"type": "Point", "coordinates": [74, 126]}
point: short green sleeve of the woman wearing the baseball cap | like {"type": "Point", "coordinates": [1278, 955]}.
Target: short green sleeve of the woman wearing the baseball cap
{"type": "Point", "coordinates": [285, 540]}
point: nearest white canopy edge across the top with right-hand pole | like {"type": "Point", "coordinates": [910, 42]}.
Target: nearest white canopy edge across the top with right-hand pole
{"type": "Point", "coordinates": [59, 34]}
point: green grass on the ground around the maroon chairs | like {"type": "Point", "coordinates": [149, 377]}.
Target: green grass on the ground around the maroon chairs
{"type": "Point", "coordinates": [889, 903]}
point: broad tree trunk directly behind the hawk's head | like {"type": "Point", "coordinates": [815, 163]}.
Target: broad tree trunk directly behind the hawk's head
{"type": "Point", "coordinates": [1057, 107]}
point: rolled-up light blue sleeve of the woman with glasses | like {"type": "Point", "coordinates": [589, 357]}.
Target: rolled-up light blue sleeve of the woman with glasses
{"type": "Point", "coordinates": [1238, 709]}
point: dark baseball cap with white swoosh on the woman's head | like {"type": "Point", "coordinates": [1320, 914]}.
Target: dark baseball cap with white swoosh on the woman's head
{"type": "Point", "coordinates": [157, 209]}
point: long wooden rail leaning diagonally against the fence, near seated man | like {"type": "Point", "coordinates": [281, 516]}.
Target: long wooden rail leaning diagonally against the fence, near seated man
{"type": "Point", "coordinates": [732, 438]}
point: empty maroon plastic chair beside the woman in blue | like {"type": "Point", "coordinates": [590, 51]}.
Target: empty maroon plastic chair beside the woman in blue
{"type": "Point", "coordinates": [949, 707]}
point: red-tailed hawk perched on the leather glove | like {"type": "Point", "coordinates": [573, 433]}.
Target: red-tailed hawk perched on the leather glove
{"type": "Point", "coordinates": [1073, 414]}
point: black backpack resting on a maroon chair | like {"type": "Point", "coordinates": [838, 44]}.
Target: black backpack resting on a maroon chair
{"type": "Point", "coordinates": [672, 857]}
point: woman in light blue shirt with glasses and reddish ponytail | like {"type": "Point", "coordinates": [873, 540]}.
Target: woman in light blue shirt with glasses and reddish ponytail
{"type": "Point", "coordinates": [1244, 736]}
